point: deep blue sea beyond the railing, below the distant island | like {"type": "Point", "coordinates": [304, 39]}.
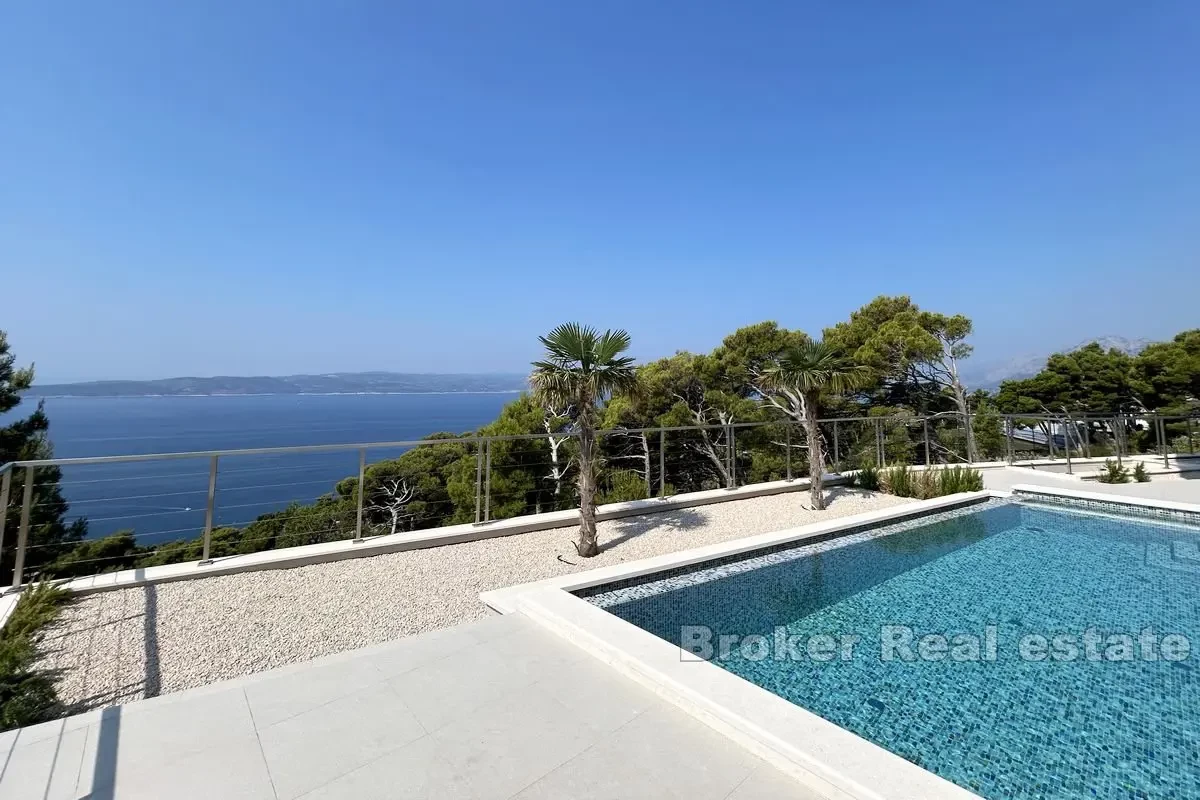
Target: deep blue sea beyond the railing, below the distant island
{"type": "Point", "coordinates": [163, 501]}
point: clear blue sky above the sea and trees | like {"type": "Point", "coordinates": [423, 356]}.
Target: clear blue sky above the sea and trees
{"type": "Point", "coordinates": [250, 188]}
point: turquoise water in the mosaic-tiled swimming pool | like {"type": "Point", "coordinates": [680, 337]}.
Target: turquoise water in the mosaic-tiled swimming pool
{"type": "Point", "coordinates": [1021, 719]}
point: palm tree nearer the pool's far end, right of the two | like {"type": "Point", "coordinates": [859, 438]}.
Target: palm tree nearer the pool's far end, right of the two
{"type": "Point", "coordinates": [809, 370]}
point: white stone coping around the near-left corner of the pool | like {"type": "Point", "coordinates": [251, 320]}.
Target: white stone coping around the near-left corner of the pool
{"type": "Point", "coordinates": [825, 757]}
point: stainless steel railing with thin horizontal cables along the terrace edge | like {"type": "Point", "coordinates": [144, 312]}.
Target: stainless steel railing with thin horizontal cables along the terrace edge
{"type": "Point", "coordinates": [879, 440]}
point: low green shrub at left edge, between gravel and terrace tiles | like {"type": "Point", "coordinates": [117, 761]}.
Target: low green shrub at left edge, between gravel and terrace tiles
{"type": "Point", "coordinates": [27, 694]}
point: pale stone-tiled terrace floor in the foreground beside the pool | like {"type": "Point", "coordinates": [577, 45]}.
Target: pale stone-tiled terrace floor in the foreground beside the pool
{"type": "Point", "coordinates": [494, 709]}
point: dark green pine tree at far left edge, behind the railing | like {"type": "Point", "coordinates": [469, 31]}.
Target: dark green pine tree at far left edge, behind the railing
{"type": "Point", "coordinates": [25, 440]}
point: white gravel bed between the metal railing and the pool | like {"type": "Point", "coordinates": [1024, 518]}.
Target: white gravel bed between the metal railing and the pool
{"type": "Point", "coordinates": [123, 646]}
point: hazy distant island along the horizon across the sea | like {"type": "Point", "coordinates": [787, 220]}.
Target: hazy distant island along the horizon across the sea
{"type": "Point", "coordinates": [337, 383]}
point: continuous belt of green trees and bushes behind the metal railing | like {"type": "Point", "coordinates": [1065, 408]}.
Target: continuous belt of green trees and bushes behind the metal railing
{"type": "Point", "coordinates": [908, 353]}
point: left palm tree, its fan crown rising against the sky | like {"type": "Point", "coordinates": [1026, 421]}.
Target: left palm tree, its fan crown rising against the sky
{"type": "Point", "coordinates": [580, 369]}
